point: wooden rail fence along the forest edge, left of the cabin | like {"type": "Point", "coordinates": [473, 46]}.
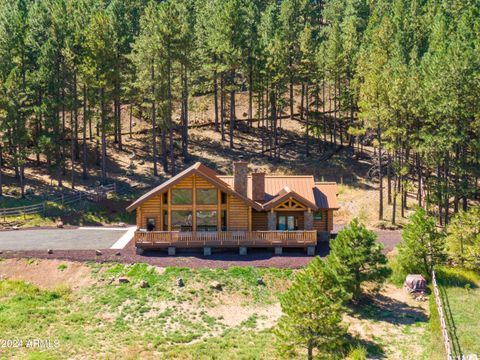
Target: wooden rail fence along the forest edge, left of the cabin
{"type": "Point", "coordinates": [94, 195]}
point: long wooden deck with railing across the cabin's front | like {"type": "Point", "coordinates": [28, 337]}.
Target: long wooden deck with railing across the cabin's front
{"type": "Point", "coordinates": [225, 239]}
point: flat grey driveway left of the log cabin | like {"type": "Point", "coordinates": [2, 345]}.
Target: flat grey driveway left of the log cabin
{"type": "Point", "coordinates": [60, 239]}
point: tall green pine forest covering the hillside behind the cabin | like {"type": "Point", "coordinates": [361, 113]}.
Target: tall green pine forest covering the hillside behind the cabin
{"type": "Point", "coordinates": [77, 77]}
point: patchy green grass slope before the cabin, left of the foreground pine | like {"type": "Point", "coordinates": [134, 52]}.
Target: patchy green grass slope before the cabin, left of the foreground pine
{"type": "Point", "coordinates": [127, 321]}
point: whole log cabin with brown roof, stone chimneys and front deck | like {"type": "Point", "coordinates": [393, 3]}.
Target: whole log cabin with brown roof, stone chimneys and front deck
{"type": "Point", "coordinates": [199, 208]}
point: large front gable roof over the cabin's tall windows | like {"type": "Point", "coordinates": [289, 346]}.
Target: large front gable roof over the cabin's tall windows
{"type": "Point", "coordinates": [196, 169]}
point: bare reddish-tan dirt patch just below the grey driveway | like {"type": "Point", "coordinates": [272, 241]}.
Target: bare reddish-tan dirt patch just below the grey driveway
{"type": "Point", "coordinates": [47, 274]}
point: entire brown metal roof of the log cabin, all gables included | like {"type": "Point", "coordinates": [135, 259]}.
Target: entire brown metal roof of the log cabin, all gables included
{"type": "Point", "coordinates": [278, 188]}
